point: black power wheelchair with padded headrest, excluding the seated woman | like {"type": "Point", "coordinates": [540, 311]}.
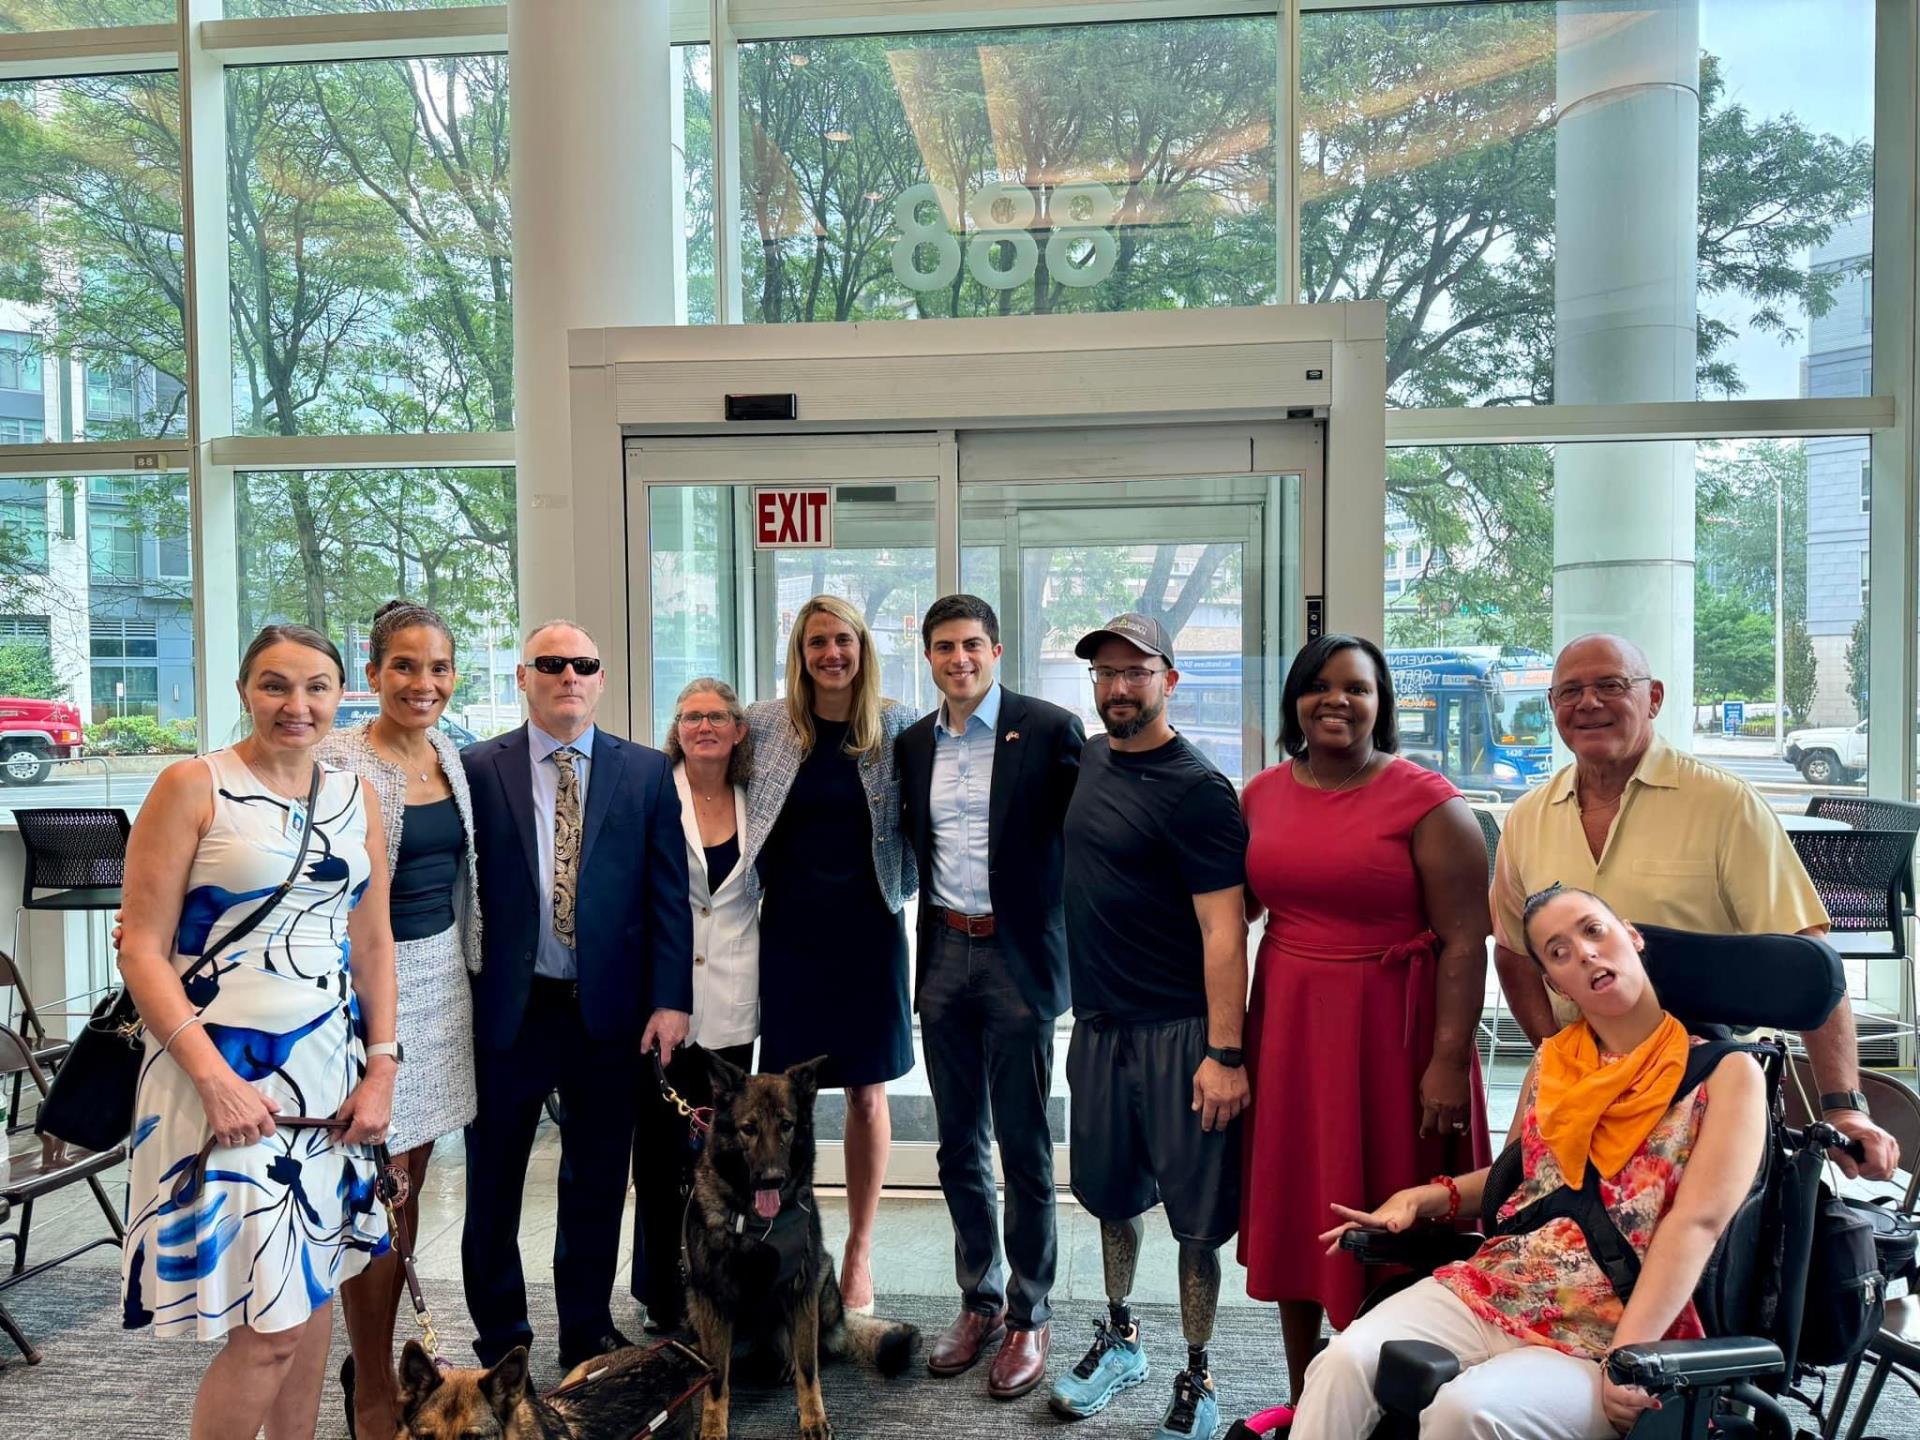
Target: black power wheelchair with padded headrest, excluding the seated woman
{"type": "Point", "coordinates": [1752, 1295]}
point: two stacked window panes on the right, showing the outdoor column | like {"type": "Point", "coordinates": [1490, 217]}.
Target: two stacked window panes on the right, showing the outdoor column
{"type": "Point", "coordinates": [1539, 239]}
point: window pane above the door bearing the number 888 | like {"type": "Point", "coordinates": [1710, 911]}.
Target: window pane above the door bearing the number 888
{"type": "Point", "coordinates": [1034, 172]}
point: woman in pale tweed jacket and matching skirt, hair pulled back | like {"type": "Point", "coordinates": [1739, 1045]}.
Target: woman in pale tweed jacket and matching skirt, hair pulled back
{"type": "Point", "coordinates": [437, 928]}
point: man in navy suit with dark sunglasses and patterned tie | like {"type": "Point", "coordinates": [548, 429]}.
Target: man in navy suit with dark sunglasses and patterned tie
{"type": "Point", "coordinates": [587, 963]}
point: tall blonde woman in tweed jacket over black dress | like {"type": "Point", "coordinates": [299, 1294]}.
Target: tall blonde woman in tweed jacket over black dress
{"type": "Point", "coordinates": [825, 850]}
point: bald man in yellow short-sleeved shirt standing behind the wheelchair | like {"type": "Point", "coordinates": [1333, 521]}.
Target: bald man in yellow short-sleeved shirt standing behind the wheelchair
{"type": "Point", "coordinates": [1669, 842]}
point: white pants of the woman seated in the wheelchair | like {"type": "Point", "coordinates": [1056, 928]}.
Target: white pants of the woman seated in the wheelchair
{"type": "Point", "coordinates": [1506, 1389]}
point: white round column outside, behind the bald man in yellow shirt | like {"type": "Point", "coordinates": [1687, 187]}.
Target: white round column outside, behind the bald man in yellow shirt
{"type": "Point", "coordinates": [1627, 180]}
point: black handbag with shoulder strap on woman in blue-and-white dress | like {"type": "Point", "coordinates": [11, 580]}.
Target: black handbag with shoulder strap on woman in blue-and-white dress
{"type": "Point", "coordinates": [91, 1099]}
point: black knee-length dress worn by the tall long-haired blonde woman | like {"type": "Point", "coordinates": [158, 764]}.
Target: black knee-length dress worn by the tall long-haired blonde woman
{"type": "Point", "coordinates": [832, 953]}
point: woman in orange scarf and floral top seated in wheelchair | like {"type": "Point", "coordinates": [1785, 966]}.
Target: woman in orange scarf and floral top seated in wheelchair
{"type": "Point", "coordinates": [1533, 1316]}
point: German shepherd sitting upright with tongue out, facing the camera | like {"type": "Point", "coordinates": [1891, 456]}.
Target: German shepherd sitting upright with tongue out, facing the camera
{"type": "Point", "coordinates": [759, 1278]}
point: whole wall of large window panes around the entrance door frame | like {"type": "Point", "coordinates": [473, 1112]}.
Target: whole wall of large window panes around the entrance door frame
{"type": "Point", "coordinates": [1539, 243]}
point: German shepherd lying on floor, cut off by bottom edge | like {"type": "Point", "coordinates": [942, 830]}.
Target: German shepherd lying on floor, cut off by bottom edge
{"type": "Point", "coordinates": [613, 1397]}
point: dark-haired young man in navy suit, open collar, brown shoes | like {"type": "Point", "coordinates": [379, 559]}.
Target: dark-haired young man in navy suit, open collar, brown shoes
{"type": "Point", "coordinates": [984, 786]}
